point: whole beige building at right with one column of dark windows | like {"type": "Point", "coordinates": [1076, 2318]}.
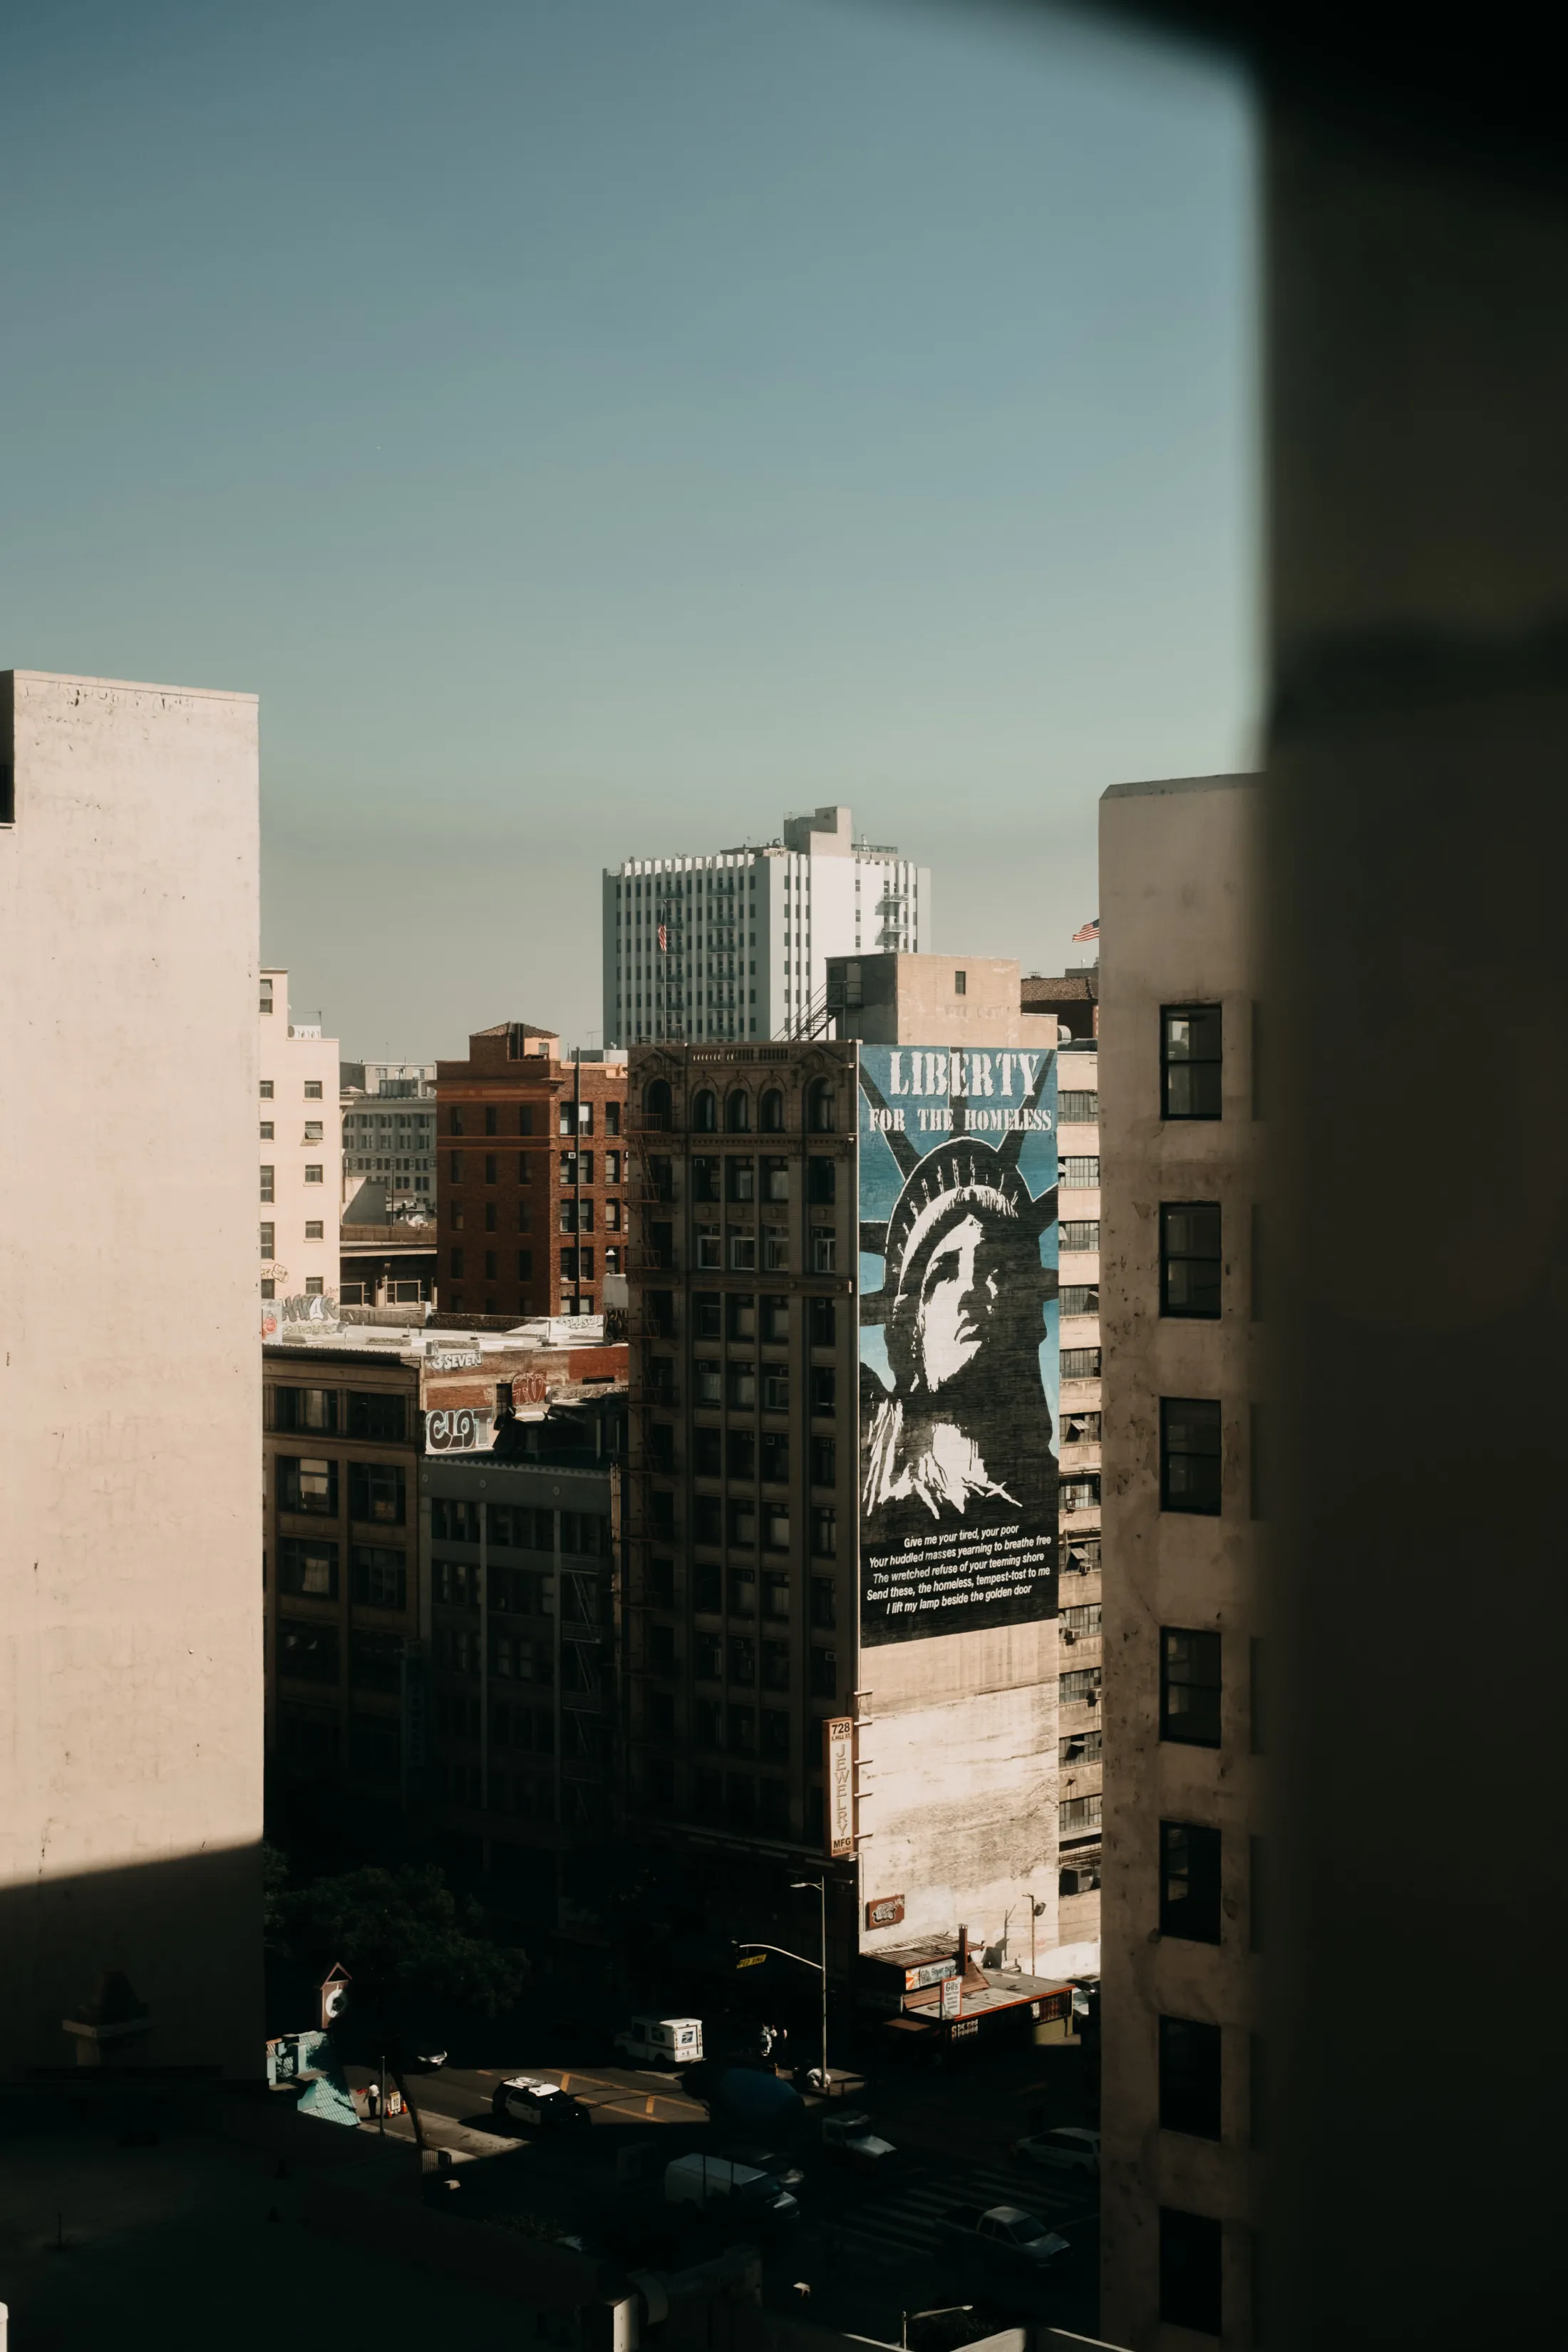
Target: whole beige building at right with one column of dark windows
{"type": "Point", "coordinates": [1179, 1299]}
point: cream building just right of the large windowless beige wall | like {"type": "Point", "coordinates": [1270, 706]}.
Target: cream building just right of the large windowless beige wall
{"type": "Point", "coordinates": [300, 1149]}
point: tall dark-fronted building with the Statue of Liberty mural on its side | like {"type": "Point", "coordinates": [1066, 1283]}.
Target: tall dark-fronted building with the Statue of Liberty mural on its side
{"type": "Point", "coordinates": [843, 1523]}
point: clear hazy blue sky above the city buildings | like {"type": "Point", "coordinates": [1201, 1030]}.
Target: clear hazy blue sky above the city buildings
{"type": "Point", "coordinates": [598, 427]}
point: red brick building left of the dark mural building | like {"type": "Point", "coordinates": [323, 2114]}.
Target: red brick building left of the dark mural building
{"type": "Point", "coordinates": [530, 1175]}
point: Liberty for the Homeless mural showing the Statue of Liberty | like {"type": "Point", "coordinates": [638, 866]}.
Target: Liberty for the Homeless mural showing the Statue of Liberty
{"type": "Point", "coordinates": [958, 1342]}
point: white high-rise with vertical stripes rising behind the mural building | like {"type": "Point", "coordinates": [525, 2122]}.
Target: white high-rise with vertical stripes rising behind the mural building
{"type": "Point", "coordinates": [732, 947]}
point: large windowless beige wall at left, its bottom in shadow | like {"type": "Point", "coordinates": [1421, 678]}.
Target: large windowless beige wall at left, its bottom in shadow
{"type": "Point", "coordinates": [130, 1593]}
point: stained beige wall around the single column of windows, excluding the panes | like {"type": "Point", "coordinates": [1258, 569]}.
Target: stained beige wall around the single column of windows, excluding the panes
{"type": "Point", "coordinates": [1177, 909]}
